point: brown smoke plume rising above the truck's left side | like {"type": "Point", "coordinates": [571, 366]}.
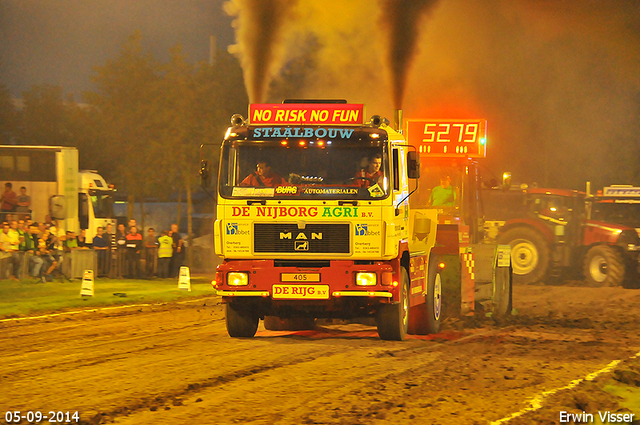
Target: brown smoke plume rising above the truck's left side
{"type": "Point", "coordinates": [259, 27]}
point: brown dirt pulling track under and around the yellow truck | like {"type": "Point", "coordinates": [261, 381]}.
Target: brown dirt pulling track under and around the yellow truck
{"type": "Point", "coordinates": [175, 364]}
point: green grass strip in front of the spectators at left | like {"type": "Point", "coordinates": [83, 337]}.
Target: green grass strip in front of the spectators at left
{"type": "Point", "coordinates": [27, 298]}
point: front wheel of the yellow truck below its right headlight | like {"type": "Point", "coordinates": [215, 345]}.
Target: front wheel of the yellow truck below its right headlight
{"type": "Point", "coordinates": [393, 319]}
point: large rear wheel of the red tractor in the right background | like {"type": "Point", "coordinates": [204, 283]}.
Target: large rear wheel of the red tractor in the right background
{"type": "Point", "coordinates": [529, 254]}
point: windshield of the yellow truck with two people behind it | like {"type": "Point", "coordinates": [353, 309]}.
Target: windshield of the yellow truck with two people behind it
{"type": "Point", "coordinates": [305, 169]}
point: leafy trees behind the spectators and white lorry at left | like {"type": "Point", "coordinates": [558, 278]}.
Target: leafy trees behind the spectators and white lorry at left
{"type": "Point", "coordinates": [142, 126]}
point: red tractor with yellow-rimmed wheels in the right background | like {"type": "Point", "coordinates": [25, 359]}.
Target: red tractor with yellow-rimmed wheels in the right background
{"type": "Point", "coordinates": [562, 234]}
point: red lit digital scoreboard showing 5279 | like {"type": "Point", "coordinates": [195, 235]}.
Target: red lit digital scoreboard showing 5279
{"type": "Point", "coordinates": [448, 138]}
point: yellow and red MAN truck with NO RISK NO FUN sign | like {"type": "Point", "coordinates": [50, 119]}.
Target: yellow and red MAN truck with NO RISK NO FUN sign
{"type": "Point", "coordinates": [314, 221]}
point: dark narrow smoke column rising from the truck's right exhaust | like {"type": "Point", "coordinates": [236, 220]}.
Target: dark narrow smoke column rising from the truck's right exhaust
{"type": "Point", "coordinates": [402, 19]}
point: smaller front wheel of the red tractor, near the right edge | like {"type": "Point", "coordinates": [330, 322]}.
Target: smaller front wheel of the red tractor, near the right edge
{"type": "Point", "coordinates": [604, 266]}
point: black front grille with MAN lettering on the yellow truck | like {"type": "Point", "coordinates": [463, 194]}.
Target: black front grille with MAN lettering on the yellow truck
{"type": "Point", "coordinates": [313, 239]}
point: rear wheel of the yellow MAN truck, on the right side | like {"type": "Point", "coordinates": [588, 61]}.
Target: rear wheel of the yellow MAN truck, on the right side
{"type": "Point", "coordinates": [425, 318]}
